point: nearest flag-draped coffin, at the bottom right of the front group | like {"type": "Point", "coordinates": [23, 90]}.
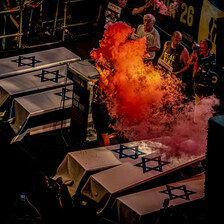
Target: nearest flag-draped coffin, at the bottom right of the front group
{"type": "Point", "coordinates": [136, 207]}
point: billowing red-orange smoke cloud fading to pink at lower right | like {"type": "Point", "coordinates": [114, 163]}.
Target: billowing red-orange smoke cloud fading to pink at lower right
{"type": "Point", "coordinates": [143, 102]}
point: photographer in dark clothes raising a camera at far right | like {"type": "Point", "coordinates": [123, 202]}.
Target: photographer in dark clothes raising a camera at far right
{"type": "Point", "coordinates": [204, 75]}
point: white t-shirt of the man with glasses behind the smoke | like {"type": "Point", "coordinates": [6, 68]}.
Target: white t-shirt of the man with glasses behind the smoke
{"type": "Point", "coordinates": [152, 38]}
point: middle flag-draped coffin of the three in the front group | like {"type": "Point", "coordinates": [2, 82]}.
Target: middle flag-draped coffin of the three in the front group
{"type": "Point", "coordinates": [103, 186]}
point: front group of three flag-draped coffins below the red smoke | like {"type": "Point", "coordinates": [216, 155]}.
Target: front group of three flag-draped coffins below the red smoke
{"type": "Point", "coordinates": [120, 179]}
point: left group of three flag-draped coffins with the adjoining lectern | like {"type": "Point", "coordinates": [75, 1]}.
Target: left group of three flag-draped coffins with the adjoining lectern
{"type": "Point", "coordinates": [36, 94]}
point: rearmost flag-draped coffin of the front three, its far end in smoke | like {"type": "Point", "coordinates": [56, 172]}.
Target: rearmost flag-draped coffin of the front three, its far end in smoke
{"type": "Point", "coordinates": [77, 166]}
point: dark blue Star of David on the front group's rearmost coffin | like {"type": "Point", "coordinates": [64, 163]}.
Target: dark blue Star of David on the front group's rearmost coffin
{"type": "Point", "coordinates": [128, 152]}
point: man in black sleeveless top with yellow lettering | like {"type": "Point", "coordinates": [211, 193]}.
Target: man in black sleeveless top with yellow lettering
{"type": "Point", "coordinates": [175, 55]}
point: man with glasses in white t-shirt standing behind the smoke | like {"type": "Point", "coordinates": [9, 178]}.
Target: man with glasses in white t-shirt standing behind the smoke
{"type": "Point", "coordinates": [148, 30]}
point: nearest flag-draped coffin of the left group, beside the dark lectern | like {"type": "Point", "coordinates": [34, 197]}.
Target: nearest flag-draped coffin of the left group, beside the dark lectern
{"type": "Point", "coordinates": [41, 112]}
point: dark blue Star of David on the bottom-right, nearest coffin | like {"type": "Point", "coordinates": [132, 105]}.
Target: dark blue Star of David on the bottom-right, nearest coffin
{"type": "Point", "coordinates": [177, 192]}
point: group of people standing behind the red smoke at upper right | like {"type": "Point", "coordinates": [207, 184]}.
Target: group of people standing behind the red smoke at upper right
{"type": "Point", "coordinates": [175, 57]}
